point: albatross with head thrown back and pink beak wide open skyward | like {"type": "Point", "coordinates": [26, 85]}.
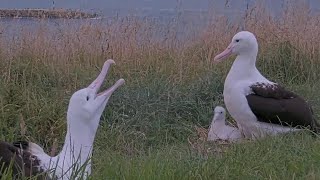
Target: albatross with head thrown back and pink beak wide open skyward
{"type": "Point", "coordinates": [83, 116]}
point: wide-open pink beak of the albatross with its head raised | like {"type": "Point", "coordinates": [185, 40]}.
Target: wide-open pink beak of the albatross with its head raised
{"type": "Point", "coordinates": [96, 84]}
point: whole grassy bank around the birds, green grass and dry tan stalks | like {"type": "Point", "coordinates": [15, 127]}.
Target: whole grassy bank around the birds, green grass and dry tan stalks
{"type": "Point", "coordinates": [171, 86]}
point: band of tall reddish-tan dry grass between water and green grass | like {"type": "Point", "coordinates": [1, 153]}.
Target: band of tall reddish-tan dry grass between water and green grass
{"type": "Point", "coordinates": [134, 43]}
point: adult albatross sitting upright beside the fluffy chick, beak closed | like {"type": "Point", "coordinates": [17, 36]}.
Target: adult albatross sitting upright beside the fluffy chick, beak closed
{"type": "Point", "coordinates": [258, 105]}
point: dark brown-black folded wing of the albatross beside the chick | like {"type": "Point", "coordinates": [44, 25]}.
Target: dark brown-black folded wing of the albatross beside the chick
{"type": "Point", "coordinates": [273, 104]}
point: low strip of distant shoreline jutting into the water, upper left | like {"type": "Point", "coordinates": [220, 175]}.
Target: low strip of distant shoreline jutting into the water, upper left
{"type": "Point", "coordinates": [46, 13]}
